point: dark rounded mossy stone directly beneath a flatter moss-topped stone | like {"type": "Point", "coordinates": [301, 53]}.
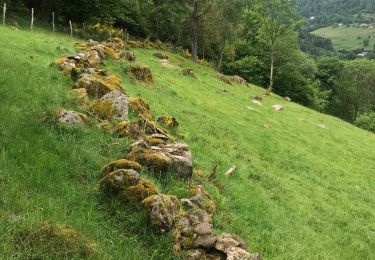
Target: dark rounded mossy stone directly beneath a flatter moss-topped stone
{"type": "Point", "coordinates": [119, 180]}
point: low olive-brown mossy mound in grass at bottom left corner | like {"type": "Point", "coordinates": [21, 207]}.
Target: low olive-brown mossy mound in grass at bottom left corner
{"type": "Point", "coordinates": [54, 241]}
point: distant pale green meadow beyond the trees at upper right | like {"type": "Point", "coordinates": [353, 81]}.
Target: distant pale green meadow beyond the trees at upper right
{"type": "Point", "coordinates": [348, 38]}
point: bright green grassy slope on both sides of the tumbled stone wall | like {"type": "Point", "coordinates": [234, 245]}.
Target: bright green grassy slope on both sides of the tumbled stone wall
{"type": "Point", "coordinates": [301, 191]}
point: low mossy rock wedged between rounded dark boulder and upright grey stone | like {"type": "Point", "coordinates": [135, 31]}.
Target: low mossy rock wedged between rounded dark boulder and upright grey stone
{"type": "Point", "coordinates": [139, 192]}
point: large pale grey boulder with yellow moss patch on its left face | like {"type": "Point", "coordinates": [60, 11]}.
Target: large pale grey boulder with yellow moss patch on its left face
{"type": "Point", "coordinates": [114, 105]}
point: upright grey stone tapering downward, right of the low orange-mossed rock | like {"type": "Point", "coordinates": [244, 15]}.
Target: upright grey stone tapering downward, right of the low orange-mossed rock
{"type": "Point", "coordinates": [162, 211]}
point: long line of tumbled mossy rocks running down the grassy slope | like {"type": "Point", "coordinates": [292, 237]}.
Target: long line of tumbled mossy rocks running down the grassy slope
{"type": "Point", "coordinates": [190, 219]}
